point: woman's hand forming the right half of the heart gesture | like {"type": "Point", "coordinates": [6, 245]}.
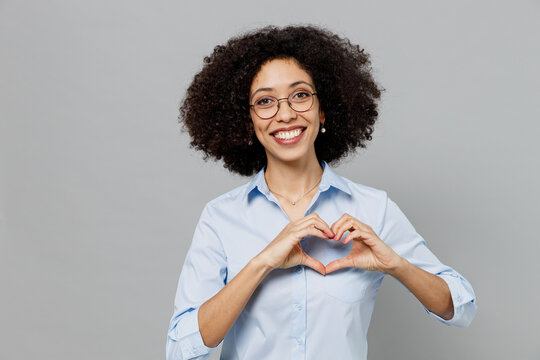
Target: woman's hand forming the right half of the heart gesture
{"type": "Point", "coordinates": [368, 251]}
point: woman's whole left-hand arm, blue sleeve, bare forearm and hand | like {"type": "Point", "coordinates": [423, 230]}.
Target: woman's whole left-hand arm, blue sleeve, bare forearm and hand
{"type": "Point", "coordinates": [205, 308]}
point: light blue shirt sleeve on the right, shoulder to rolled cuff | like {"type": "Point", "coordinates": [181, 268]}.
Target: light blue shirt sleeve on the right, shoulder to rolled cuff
{"type": "Point", "coordinates": [399, 233]}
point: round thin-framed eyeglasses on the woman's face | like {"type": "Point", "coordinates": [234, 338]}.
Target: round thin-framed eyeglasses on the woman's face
{"type": "Point", "coordinates": [268, 106]}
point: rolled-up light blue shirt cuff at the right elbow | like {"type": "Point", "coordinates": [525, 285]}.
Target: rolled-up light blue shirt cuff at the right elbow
{"type": "Point", "coordinates": [463, 298]}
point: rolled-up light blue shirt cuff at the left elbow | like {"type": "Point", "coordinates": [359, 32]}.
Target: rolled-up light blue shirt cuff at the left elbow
{"type": "Point", "coordinates": [184, 341]}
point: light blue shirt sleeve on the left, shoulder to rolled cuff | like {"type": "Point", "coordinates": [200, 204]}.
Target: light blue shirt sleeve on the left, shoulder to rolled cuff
{"type": "Point", "coordinates": [203, 274]}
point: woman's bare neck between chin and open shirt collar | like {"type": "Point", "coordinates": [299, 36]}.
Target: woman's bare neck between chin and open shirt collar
{"type": "Point", "coordinates": [293, 179]}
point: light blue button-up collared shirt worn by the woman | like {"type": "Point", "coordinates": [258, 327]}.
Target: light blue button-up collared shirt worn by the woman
{"type": "Point", "coordinates": [295, 313]}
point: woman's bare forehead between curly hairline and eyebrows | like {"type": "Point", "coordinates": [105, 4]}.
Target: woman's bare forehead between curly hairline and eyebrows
{"type": "Point", "coordinates": [278, 74]}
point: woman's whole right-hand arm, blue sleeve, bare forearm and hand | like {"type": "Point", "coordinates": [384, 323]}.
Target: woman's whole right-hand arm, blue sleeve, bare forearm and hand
{"type": "Point", "coordinates": [400, 251]}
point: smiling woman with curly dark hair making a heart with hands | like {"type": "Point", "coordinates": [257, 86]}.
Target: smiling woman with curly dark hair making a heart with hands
{"type": "Point", "coordinates": [289, 264]}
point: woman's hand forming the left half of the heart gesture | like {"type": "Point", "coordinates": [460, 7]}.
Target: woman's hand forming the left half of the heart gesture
{"type": "Point", "coordinates": [285, 250]}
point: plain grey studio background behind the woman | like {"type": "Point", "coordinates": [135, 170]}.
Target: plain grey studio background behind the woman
{"type": "Point", "coordinates": [100, 193]}
